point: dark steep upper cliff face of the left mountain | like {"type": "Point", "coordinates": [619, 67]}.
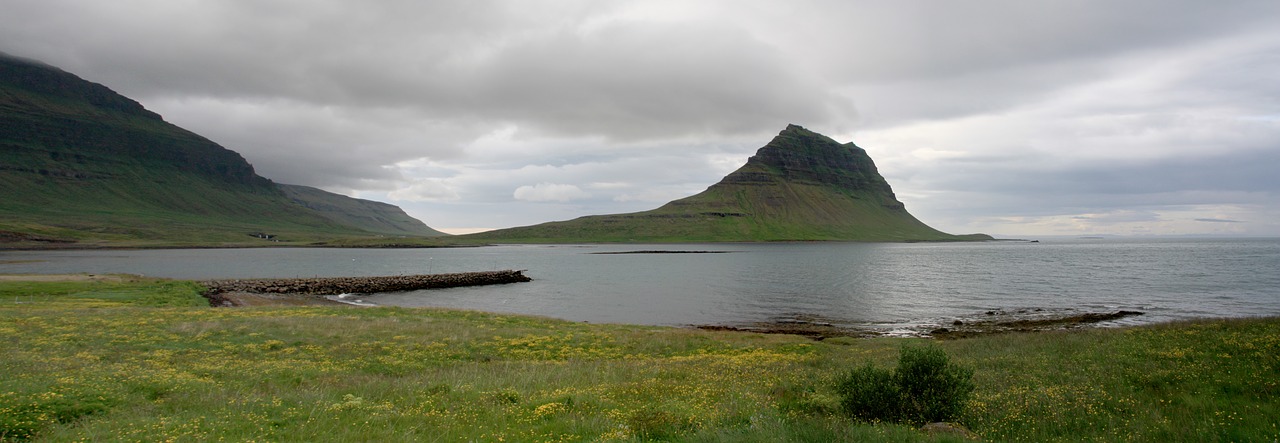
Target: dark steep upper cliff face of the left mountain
{"type": "Point", "coordinates": [79, 126]}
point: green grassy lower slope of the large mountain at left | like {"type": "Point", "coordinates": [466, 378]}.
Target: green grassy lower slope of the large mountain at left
{"type": "Point", "coordinates": [158, 207]}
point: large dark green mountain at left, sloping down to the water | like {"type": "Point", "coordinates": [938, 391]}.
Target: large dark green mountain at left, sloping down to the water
{"type": "Point", "coordinates": [83, 166]}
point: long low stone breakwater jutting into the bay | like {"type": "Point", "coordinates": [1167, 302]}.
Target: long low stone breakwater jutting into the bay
{"type": "Point", "coordinates": [333, 286]}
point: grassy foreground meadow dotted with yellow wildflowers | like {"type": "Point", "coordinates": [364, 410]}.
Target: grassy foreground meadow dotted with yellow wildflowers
{"type": "Point", "coordinates": [147, 360]}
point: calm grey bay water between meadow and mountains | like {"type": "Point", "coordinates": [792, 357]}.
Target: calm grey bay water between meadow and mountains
{"type": "Point", "coordinates": [885, 286]}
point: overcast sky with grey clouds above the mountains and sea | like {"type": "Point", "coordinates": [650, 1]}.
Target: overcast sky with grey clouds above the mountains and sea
{"type": "Point", "coordinates": [1014, 118]}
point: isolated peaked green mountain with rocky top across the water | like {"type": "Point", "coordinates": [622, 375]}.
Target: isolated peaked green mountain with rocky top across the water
{"type": "Point", "coordinates": [802, 186]}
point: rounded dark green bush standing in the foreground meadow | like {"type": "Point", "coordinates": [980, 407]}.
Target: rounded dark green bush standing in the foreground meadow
{"type": "Point", "coordinates": [926, 387]}
